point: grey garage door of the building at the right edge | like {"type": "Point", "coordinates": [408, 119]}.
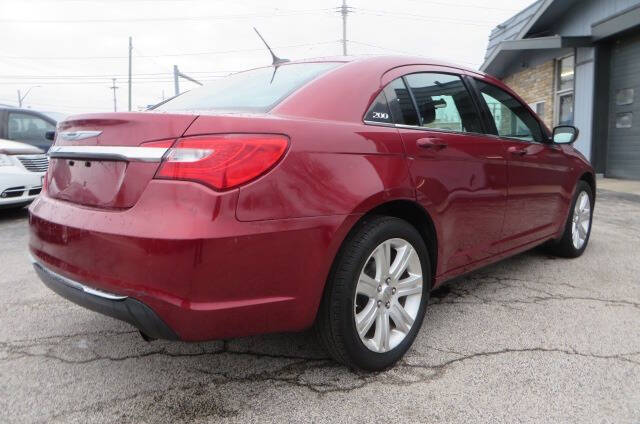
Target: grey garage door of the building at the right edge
{"type": "Point", "coordinates": [623, 146]}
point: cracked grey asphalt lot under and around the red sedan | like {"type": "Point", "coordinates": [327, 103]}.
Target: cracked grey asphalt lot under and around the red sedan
{"type": "Point", "coordinates": [530, 339]}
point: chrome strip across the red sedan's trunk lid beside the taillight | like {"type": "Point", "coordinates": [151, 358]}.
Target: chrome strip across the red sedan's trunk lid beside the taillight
{"type": "Point", "coordinates": [121, 153]}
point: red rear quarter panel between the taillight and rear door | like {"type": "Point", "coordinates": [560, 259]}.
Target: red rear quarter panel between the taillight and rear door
{"type": "Point", "coordinates": [330, 168]}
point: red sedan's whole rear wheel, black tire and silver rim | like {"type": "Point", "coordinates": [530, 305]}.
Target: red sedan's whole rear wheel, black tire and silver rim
{"type": "Point", "coordinates": [376, 294]}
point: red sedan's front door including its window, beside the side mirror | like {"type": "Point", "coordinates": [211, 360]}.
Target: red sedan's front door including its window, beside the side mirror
{"type": "Point", "coordinates": [536, 169]}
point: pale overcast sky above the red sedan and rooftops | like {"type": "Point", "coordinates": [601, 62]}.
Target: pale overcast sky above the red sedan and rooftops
{"type": "Point", "coordinates": [71, 49]}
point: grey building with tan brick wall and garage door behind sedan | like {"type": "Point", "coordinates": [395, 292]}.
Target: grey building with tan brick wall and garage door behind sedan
{"type": "Point", "coordinates": [577, 62]}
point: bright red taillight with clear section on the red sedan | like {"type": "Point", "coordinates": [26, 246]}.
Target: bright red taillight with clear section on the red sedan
{"type": "Point", "coordinates": [222, 161]}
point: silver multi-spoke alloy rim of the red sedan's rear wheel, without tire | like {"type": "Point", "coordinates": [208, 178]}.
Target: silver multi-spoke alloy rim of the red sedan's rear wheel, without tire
{"type": "Point", "coordinates": [388, 295]}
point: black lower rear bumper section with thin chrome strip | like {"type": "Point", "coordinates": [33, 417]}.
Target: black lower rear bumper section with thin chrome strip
{"type": "Point", "coordinates": [123, 308]}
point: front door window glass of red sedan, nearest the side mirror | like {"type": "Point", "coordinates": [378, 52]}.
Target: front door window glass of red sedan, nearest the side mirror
{"type": "Point", "coordinates": [512, 119]}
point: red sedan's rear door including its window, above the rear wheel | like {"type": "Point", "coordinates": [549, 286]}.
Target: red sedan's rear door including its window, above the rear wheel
{"type": "Point", "coordinates": [458, 171]}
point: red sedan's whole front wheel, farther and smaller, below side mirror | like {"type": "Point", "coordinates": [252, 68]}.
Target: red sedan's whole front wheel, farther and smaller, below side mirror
{"type": "Point", "coordinates": [578, 226]}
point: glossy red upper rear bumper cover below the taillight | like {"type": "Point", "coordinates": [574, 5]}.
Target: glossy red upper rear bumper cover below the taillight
{"type": "Point", "coordinates": [181, 252]}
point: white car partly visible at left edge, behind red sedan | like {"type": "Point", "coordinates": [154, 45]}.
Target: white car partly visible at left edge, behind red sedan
{"type": "Point", "coordinates": [22, 169]}
